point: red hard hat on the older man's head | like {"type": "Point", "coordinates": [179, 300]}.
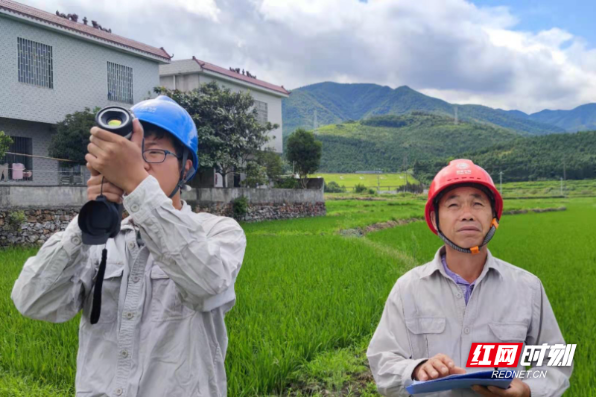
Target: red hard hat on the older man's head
{"type": "Point", "coordinates": [459, 172]}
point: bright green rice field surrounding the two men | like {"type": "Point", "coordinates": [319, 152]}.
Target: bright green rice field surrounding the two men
{"type": "Point", "coordinates": [309, 298]}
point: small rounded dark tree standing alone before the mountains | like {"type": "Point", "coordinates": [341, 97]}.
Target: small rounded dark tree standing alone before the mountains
{"type": "Point", "coordinates": [304, 151]}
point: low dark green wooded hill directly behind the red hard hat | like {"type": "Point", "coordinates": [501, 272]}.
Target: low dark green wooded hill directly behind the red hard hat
{"type": "Point", "coordinates": [530, 158]}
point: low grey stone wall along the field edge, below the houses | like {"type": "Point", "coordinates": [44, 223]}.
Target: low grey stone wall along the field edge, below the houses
{"type": "Point", "coordinates": [44, 217]}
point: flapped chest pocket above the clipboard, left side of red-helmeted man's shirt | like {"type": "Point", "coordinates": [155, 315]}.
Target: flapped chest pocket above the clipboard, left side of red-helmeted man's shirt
{"type": "Point", "coordinates": [426, 334]}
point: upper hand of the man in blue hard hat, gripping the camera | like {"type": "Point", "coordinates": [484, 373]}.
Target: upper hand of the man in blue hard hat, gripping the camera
{"type": "Point", "coordinates": [117, 158]}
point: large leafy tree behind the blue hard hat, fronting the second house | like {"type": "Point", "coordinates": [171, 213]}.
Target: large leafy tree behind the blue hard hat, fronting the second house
{"type": "Point", "coordinates": [229, 133]}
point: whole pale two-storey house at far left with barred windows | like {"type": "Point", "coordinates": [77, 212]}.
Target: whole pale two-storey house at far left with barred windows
{"type": "Point", "coordinates": [51, 66]}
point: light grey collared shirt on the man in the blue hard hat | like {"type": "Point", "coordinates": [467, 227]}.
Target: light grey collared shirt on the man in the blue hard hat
{"type": "Point", "coordinates": [161, 331]}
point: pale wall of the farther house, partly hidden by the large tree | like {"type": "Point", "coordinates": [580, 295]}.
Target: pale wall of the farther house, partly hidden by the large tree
{"type": "Point", "coordinates": [188, 82]}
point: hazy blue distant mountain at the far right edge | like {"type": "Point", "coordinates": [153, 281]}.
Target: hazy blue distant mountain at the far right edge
{"type": "Point", "coordinates": [582, 118]}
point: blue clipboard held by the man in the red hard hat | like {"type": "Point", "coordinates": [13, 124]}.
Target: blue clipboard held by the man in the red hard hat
{"type": "Point", "coordinates": [465, 381]}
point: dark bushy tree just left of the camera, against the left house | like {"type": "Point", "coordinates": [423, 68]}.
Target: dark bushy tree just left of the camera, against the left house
{"type": "Point", "coordinates": [72, 136]}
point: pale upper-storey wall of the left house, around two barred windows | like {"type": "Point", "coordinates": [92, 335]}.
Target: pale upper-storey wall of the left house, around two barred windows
{"type": "Point", "coordinates": [80, 75]}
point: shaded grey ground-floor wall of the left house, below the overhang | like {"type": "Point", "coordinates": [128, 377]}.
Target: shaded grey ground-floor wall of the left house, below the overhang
{"type": "Point", "coordinates": [45, 171]}
